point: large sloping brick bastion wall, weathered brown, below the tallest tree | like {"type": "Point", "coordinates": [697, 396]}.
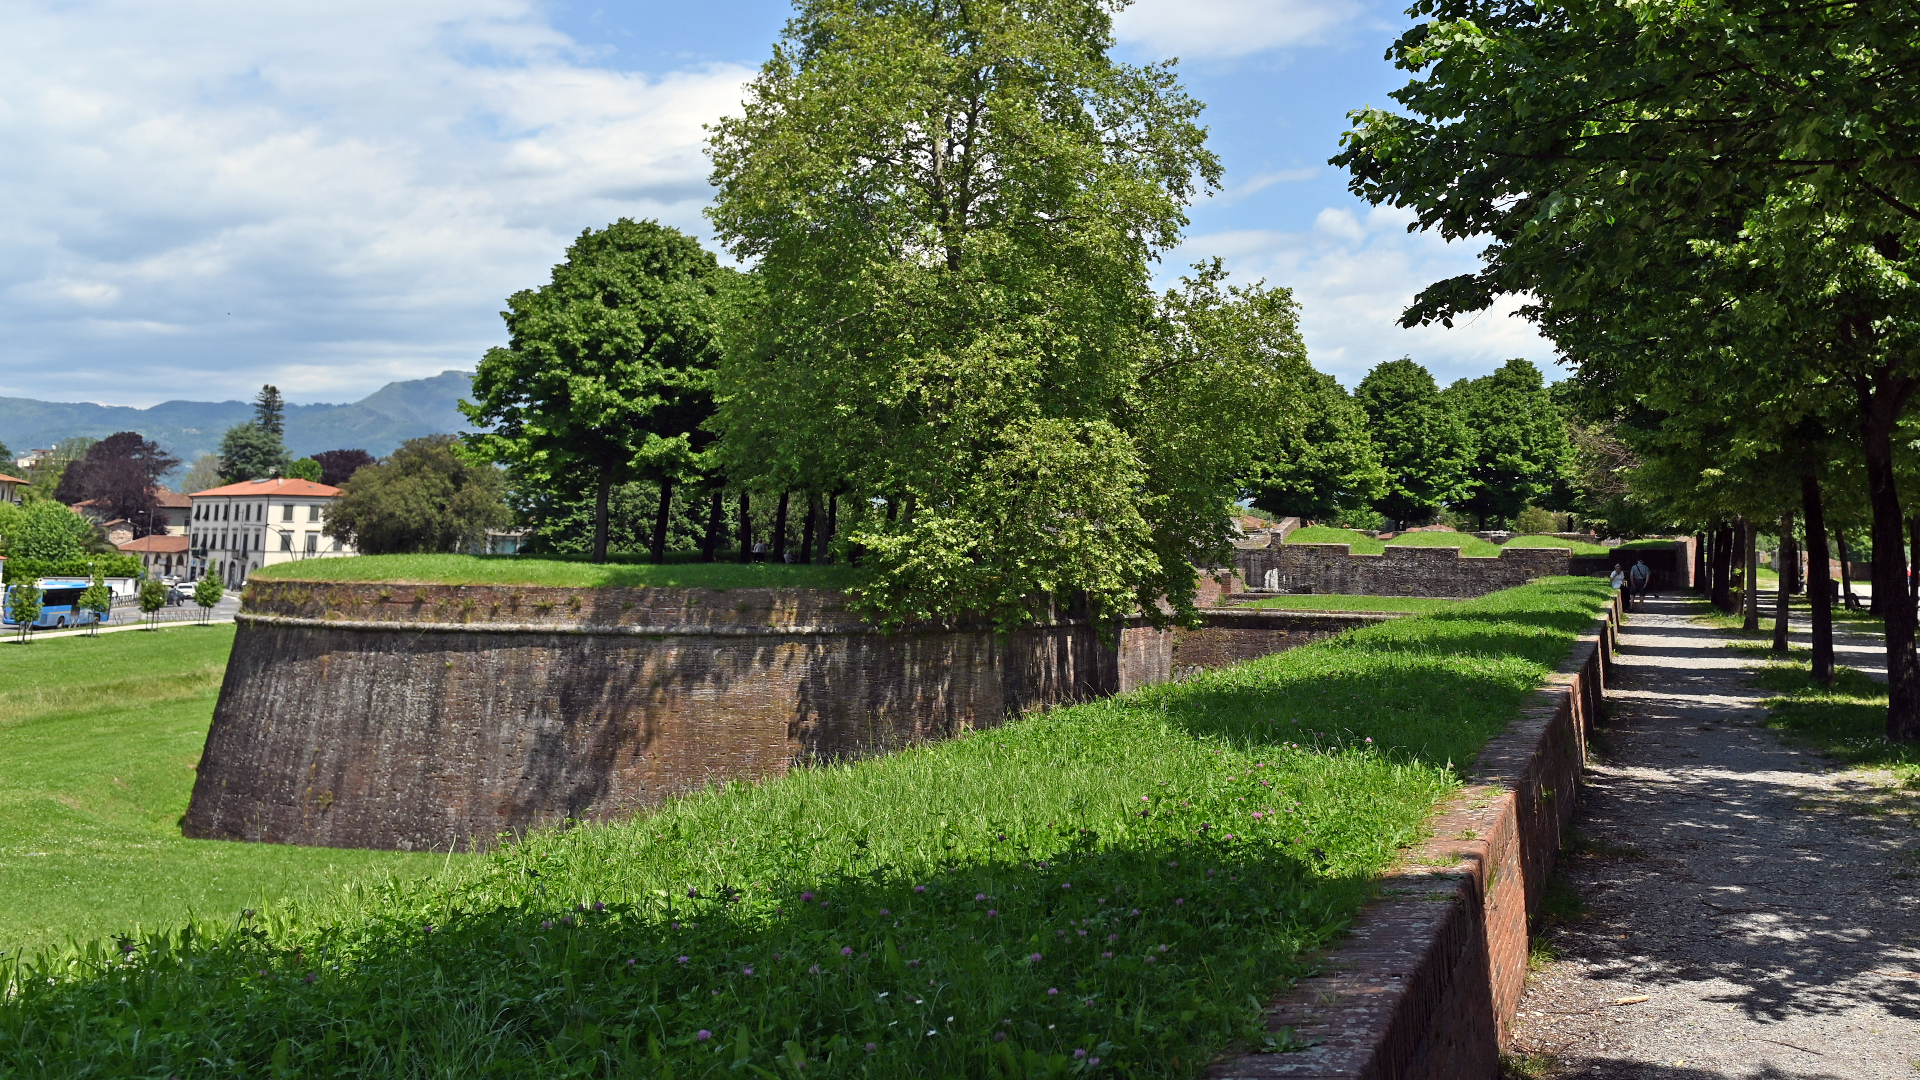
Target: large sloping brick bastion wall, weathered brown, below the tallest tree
{"type": "Point", "coordinates": [431, 718]}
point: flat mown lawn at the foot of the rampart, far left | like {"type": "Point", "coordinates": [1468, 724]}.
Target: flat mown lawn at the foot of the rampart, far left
{"type": "Point", "coordinates": [99, 739]}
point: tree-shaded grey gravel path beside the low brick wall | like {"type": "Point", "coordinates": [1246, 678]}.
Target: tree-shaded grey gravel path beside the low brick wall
{"type": "Point", "coordinates": [1760, 900]}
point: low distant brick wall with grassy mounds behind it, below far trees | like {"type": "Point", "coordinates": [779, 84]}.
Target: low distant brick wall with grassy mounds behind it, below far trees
{"type": "Point", "coordinates": [1401, 572]}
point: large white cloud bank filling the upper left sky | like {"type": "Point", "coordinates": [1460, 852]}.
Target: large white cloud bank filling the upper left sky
{"type": "Point", "coordinates": [210, 195]}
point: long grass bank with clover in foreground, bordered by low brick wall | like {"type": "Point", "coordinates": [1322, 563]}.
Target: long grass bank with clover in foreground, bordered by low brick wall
{"type": "Point", "coordinates": [1128, 877]}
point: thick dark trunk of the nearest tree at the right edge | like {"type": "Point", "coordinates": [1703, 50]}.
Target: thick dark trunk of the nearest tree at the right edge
{"type": "Point", "coordinates": [1890, 562]}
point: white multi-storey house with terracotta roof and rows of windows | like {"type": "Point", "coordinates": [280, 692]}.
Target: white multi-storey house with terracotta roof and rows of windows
{"type": "Point", "coordinates": [239, 529]}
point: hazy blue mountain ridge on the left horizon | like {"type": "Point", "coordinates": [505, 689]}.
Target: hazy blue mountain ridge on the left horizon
{"type": "Point", "coordinates": [189, 430]}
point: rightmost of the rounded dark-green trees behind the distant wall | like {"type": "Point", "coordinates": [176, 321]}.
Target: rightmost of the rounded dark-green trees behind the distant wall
{"type": "Point", "coordinates": [1520, 441]}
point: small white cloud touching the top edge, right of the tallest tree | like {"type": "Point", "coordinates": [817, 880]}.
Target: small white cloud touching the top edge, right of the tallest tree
{"type": "Point", "coordinates": [1197, 30]}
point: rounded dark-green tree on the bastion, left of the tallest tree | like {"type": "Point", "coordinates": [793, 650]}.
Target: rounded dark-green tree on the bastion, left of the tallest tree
{"type": "Point", "coordinates": [608, 370]}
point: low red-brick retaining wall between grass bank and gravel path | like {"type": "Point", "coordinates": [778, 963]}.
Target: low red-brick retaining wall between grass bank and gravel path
{"type": "Point", "coordinates": [1428, 979]}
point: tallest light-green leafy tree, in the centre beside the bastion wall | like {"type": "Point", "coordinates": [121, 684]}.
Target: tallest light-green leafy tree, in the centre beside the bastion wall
{"type": "Point", "coordinates": [953, 214]}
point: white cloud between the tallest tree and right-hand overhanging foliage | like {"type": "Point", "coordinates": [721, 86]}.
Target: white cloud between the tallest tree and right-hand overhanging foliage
{"type": "Point", "coordinates": [1355, 274]}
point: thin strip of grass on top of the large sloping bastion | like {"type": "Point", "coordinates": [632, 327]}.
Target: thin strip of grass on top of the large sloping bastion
{"type": "Point", "coordinates": [571, 574]}
